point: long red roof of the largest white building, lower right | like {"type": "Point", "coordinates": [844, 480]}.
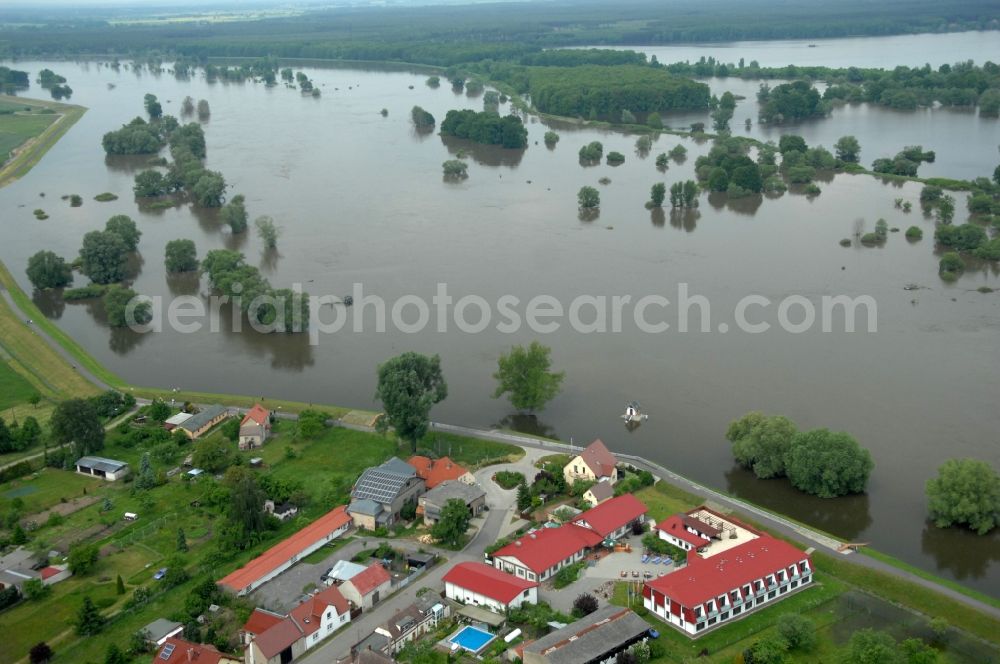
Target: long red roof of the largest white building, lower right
{"type": "Point", "coordinates": [707, 578]}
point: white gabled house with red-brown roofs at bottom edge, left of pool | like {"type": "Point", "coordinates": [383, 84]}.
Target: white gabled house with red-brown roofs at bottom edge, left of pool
{"type": "Point", "coordinates": [273, 639]}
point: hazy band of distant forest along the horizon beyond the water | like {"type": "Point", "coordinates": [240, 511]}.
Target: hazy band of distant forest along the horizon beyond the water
{"type": "Point", "coordinates": [447, 35]}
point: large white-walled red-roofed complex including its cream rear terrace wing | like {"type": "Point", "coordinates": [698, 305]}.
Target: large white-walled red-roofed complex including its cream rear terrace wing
{"type": "Point", "coordinates": [727, 575]}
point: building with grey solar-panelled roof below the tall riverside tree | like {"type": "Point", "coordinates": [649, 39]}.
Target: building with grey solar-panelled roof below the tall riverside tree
{"type": "Point", "coordinates": [381, 492]}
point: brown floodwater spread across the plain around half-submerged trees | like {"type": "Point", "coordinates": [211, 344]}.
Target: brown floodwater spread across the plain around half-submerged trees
{"type": "Point", "coordinates": [361, 200]}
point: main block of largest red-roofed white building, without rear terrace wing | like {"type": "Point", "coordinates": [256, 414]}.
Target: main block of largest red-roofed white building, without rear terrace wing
{"type": "Point", "coordinates": [715, 589]}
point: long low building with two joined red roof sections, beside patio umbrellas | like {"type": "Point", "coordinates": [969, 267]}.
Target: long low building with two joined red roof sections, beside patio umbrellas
{"type": "Point", "coordinates": [540, 554]}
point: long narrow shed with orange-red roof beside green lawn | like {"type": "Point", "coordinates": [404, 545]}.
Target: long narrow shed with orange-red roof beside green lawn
{"type": "Point", "coordinates": [286, 553]}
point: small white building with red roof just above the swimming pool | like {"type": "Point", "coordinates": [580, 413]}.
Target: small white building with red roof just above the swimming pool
{"type": "Point", "coordinates": [482, 585]}
